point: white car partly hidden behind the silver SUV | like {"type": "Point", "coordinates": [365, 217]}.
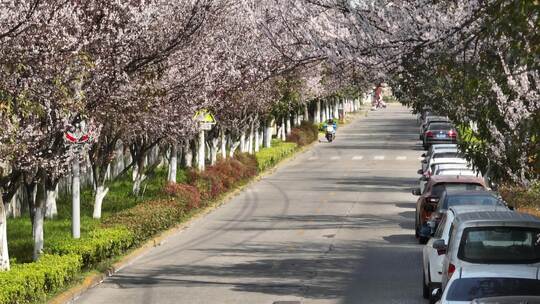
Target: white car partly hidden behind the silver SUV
{"type": "Point", "coordinates": [432, 258]}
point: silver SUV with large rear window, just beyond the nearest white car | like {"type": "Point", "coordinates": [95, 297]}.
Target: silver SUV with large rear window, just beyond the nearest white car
{"type": "Point", "coordinates": [491, 237]}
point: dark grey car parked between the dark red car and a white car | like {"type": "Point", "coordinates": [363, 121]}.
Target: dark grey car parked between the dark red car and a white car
{"type": "Point", "coordinates": [451, 198]}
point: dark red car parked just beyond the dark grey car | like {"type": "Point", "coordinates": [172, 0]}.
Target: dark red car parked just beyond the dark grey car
{"type": "Point", "coordinates": [428, 200]}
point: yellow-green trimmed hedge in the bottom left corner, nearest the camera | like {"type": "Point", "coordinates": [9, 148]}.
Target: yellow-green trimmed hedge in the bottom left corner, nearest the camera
{"type": "Point", "coordinates": [29, 283]}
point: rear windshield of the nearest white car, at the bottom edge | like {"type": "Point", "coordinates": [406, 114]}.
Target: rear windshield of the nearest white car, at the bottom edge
{"type": "Point", "coordinates": [468, 289]}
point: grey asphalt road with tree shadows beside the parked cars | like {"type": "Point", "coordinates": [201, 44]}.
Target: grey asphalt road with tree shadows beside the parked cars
{"type": "Point", "coordinates": [334, 225]}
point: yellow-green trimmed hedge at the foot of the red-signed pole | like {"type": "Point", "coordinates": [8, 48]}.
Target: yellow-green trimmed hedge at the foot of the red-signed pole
{"type": "Point", "coordinates": [99, 245]}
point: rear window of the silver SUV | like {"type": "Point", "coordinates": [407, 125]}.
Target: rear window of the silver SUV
{"type": "Point", "coordinates": [500, 245]}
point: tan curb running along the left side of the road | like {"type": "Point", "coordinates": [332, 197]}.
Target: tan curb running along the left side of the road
{"type": "Point", "coordinates": [73, 293]}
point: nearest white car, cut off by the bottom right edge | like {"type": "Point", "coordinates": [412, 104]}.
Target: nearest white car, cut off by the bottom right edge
{"type": "Point", "coordinates": [476, 282]}
